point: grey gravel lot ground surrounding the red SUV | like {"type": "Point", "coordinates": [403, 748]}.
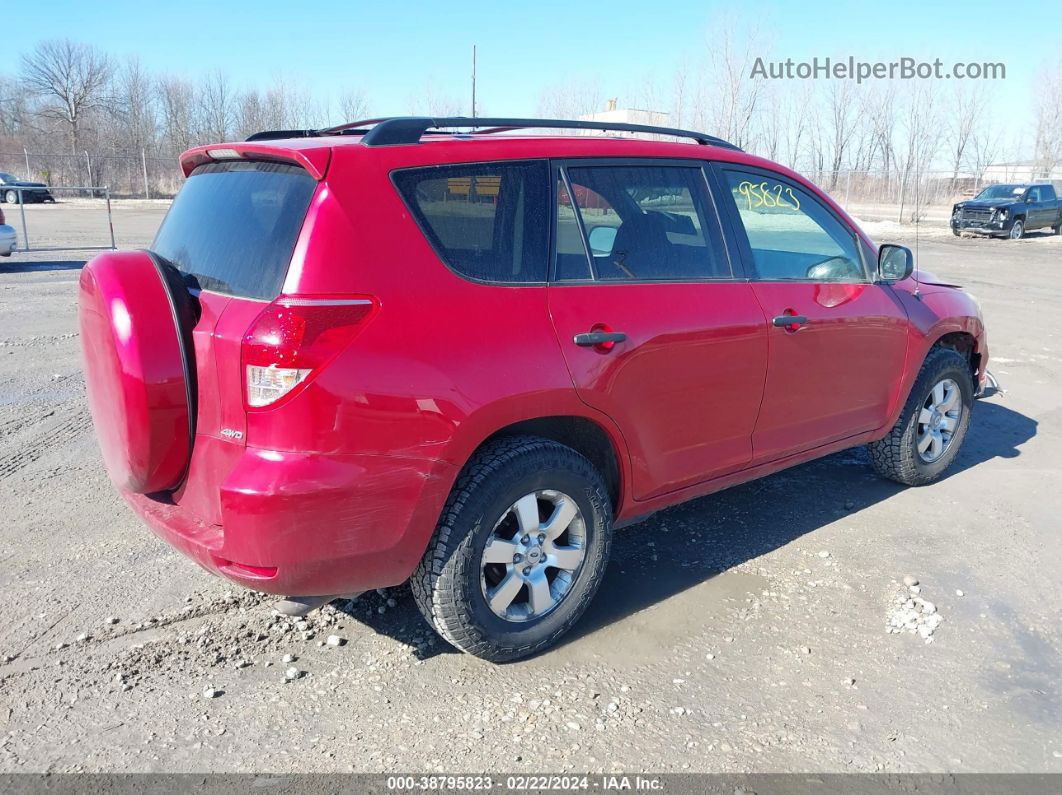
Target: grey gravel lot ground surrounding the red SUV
{"type": "Point", "coordinates": [817, 620]}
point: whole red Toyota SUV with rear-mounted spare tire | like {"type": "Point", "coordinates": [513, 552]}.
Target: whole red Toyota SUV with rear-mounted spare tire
{"type": "Point", "coordinates": [391, 352]}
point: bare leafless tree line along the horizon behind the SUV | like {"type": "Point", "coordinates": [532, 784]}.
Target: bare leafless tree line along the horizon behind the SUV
{"type": "Point", "coordinates": [107, 122]}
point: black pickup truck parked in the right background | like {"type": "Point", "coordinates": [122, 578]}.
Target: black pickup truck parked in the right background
{"type": "Point", "coordinates": [1009, 212]}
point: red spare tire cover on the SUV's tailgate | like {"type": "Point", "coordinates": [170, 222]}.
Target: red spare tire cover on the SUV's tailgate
{"type": "Point", "coordinates": [136, 320]}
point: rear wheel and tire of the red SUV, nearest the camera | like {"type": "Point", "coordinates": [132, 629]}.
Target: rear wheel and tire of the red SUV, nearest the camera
{"type": "Point", "coordinates": [520, 550]}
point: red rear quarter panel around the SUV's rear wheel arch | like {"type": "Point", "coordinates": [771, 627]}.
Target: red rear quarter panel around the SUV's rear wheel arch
{"type": "Point", "coordinates": [443, 365]}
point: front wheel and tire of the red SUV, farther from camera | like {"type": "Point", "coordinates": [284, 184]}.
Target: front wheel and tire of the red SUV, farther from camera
{"type": "Point", "coordinates": [899, 457]}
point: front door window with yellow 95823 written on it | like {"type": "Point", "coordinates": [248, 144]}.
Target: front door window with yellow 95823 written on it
{"type": "Point", "coordinates": [793, 236]}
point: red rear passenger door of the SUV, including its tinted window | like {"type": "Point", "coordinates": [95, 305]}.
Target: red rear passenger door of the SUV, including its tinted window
{"type": "Point", "coordinates": [657, 330]}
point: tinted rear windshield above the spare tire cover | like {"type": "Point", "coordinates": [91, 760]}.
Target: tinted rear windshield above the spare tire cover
{"type": "Point", "coordinates": [234, 226]}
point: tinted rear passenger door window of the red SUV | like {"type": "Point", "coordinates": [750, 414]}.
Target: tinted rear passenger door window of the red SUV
{"type": "Point", "coordinates": [646, 222]}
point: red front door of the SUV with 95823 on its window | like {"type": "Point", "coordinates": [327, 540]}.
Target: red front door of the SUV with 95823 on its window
{"type": "Point", "coordinates": [838, 342]}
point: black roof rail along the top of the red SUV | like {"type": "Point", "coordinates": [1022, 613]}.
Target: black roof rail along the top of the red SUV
{"type": "Point", "coordinates": [401, 130]}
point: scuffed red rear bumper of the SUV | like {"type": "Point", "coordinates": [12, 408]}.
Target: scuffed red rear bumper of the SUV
{"type": "Point", "coordinates": [310, 525]}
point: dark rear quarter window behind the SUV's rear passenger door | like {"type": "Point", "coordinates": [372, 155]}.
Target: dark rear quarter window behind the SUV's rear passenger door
{"type": "Point", "coordinates": [487, 221]}
